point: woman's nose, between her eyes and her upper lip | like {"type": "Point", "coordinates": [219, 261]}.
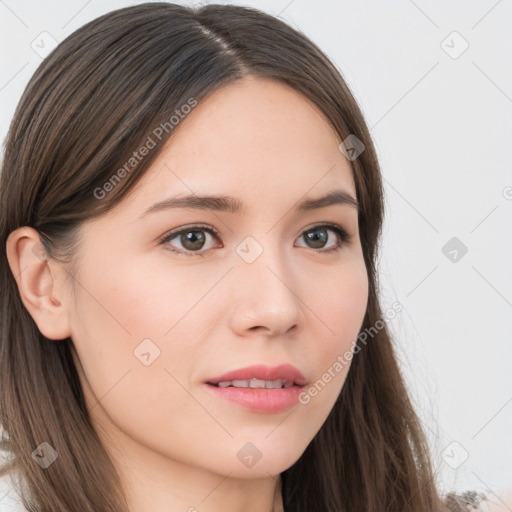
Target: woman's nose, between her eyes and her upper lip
{"type": "Point", "coordinates": [266, 299]}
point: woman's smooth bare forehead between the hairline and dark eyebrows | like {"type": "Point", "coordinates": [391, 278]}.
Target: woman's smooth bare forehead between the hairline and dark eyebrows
{"type": "Point", "coordinates": [255, 139]}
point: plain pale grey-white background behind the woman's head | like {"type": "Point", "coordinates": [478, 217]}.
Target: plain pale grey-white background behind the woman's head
{"type": "Point", "coordinates": [442, 124]}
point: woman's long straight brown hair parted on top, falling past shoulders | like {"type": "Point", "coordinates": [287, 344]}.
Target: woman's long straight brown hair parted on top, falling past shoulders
{"type": "Point", "coordinates": [93, 102]}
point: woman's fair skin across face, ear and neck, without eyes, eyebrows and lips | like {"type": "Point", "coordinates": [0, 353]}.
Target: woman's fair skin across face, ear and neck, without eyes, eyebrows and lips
{"type": "Point", "coordinates": [175, 443]}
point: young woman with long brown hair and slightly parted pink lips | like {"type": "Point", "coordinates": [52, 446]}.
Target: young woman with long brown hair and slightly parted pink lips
{"type": "Point", "coordinates": [191, 210]}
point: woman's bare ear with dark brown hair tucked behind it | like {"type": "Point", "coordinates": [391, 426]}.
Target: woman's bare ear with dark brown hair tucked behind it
{"type": "Point", "coordinates": [37, 284]}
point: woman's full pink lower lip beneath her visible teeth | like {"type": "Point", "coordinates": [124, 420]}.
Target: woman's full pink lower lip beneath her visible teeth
{"type": "Point", "coordinates": [260, 400]}
